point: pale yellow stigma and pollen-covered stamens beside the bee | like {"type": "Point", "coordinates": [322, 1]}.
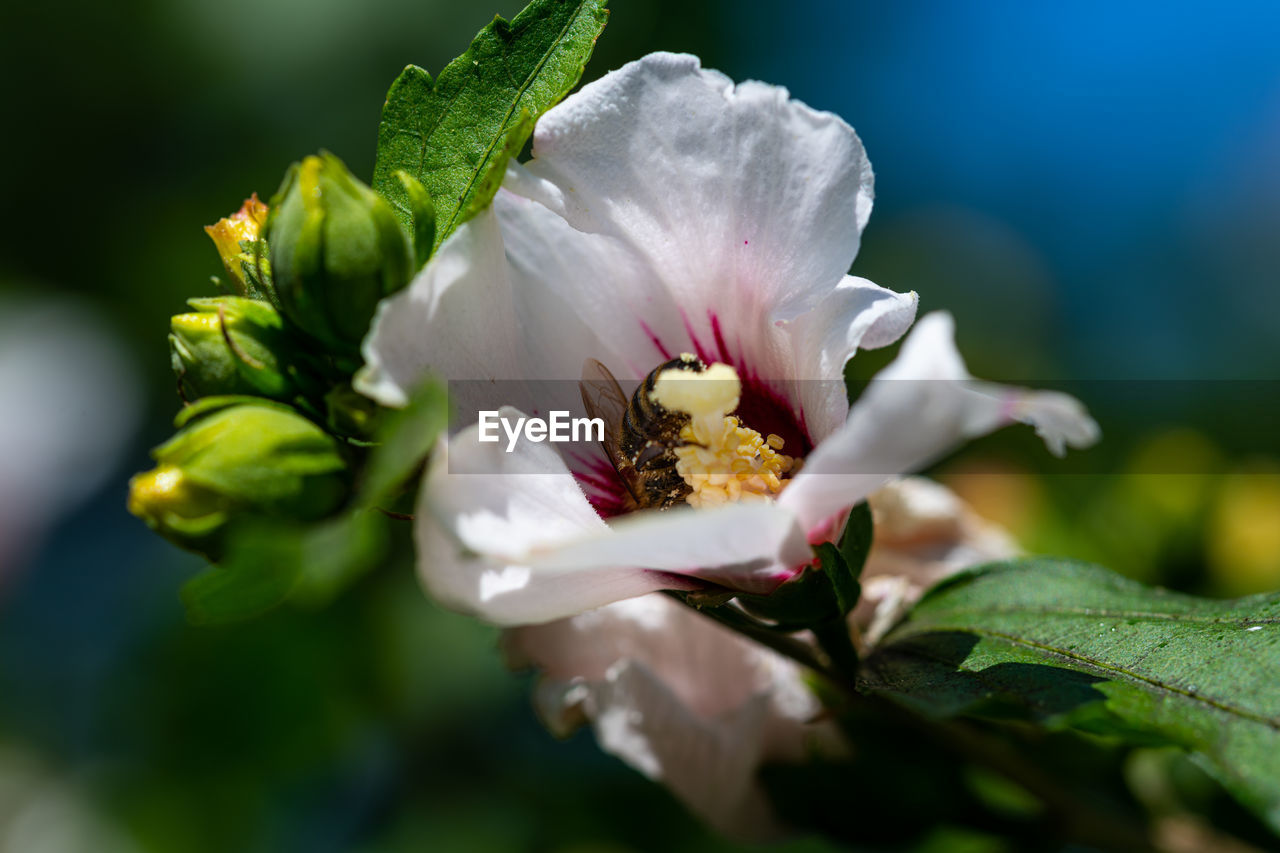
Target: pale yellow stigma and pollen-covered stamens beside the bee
{"type": "Point", "coordinates": [723, 460]}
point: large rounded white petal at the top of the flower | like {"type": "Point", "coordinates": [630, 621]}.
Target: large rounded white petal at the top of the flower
{"type": "Point", "coordinates": [742, 200]}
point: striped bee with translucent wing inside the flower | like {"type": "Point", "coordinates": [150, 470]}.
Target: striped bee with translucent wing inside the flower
{"type": "Point", "coordinates": [639, 435]}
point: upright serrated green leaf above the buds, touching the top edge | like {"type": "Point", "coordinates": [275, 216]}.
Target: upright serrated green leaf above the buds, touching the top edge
{"type": "Point", "coordinates": [458, 133]}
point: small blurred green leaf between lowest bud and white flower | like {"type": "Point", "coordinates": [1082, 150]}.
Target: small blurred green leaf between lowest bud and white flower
{"type": "Point", "coordinates": [405, 440]}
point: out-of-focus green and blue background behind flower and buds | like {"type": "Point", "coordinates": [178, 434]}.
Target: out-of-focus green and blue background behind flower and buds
{"type": "Point", "coordinates": [1094, 190]}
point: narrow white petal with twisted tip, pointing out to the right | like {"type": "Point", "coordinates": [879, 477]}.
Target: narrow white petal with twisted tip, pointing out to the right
{"type": "Point", "coordinates": [916, 410]}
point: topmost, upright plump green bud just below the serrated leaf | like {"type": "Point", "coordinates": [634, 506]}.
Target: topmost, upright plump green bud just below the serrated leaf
{"type": "Point", "coordinates": [337, 250]}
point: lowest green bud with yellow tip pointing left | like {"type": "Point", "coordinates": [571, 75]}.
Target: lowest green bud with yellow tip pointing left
{"type": "Point", "coordinates": [232, 459]}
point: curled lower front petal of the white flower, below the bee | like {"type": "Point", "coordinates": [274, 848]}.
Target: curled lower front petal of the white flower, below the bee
{"type": "Point", "coordinates": [511, 537]}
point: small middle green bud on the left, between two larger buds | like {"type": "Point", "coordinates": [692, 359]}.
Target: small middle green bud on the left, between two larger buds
{"type": "Point", "coordinates": [231, 346]}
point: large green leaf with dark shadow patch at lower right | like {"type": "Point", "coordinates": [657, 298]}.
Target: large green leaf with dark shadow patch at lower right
{"type": "Point", "coordinates": [1072, 645]}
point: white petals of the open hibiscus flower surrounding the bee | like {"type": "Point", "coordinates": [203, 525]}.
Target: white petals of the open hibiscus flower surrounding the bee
{"type": "Point", "coordinates": [668, 212]}
